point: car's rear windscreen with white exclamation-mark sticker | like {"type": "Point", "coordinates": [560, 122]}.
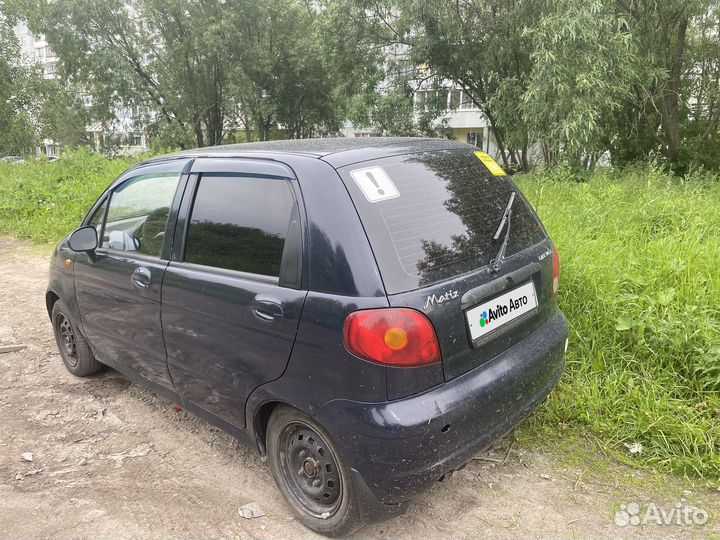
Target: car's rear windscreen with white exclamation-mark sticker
{"type": "Point", "coordinates": [431, 216]}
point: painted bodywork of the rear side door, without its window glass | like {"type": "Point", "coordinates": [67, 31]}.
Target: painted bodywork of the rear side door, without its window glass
{"type": "Point", "coordinates": [219, 348]}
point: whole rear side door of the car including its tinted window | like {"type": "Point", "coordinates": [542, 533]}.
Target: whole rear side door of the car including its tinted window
{"type": "Point", "coordinates": [233, 294]}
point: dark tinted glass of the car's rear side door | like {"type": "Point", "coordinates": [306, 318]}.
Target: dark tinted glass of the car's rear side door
{"type": "Point", "coordinates": [240, 223]}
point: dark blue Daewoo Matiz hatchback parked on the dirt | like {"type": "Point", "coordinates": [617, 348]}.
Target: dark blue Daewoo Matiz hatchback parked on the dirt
{"type": "Point", "coordinates": [367, 313]}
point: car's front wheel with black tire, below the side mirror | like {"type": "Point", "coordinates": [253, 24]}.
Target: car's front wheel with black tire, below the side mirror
{"type": "Point", "coordinates": [74, 350]}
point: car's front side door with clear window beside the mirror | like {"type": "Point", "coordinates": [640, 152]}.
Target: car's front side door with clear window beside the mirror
{"type": "Point", "coordinates": [118, 286]}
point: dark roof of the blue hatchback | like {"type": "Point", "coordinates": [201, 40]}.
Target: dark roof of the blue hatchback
{"type": "Point", "coordinates": [338, 151]}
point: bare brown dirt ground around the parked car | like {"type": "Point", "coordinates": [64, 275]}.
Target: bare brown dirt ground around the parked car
{"type": "Point", "coordinates": [112, 460]}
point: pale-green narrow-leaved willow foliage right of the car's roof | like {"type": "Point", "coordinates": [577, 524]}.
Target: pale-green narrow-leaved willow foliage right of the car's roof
{"type": "Point", "coordinates": [582, 69]}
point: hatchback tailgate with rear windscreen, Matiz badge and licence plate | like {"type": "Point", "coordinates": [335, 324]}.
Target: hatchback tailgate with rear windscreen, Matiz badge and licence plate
{"type": "Point", "coordinates": [430, 218]}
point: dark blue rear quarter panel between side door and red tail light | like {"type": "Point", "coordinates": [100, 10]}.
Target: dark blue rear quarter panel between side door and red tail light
{"type": "Point", "coordinates": [343, 277]}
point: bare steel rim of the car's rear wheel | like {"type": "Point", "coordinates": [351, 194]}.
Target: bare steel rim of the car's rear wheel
{"type": "Point", "coordinates": [310, 470]}
